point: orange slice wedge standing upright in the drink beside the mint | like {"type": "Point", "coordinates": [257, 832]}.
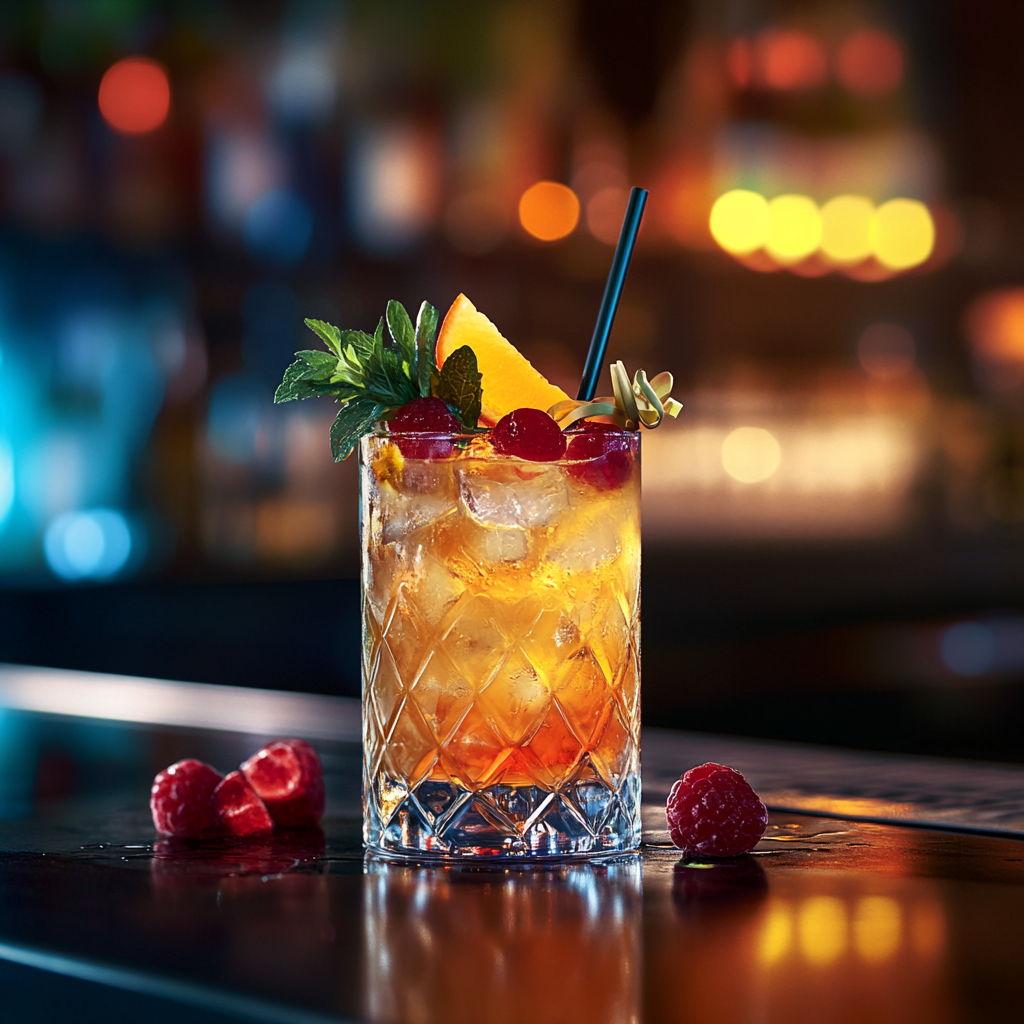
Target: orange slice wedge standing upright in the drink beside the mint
{"type": "Point", "coordinates": [509, 380]}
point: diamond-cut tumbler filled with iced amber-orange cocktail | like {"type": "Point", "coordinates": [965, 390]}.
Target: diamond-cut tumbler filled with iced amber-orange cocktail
{"type": "Point", "coordinates": [501, 649]}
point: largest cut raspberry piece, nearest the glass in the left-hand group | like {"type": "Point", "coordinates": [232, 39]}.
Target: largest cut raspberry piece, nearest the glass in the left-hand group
{"type": "Point", "coordinates": [288, 777]}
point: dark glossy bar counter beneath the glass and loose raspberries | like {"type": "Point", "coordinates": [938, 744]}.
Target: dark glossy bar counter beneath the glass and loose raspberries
{"type": "Point", "coordinates": [886, 888]}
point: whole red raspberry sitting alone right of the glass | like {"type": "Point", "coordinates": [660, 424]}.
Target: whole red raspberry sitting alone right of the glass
{"type": "Point", "coordinates": [713, 812]}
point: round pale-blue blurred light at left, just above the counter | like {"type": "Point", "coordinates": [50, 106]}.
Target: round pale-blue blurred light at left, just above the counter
{"type": "Point", "coordinates": [92, 545]}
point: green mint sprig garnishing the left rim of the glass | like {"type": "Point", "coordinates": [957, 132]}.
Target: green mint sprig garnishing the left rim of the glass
{"type": "Point", "coordinates": [372, 376]}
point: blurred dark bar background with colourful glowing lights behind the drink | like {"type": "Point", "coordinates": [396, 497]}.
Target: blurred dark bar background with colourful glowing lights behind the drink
{"type": "Point", "coordinates": [831, 265]}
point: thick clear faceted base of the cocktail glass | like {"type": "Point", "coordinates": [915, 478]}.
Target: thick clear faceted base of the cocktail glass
{"type": "Point", "coordinates": [442, 821]}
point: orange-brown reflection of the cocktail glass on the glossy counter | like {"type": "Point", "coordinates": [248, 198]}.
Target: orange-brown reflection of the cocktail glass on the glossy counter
{"type": "Point", "coordinates": [556, 944]}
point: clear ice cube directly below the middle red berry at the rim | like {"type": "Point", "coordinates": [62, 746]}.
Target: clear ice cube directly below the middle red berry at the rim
{"type": "Point", "coordinates": [506, 499]}
